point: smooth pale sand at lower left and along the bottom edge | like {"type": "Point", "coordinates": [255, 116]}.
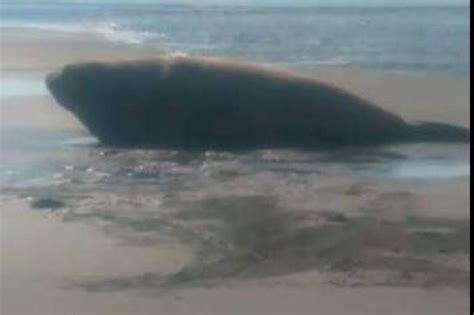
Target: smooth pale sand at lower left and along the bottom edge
{"type": "Point", "coordinates": [38, 280]}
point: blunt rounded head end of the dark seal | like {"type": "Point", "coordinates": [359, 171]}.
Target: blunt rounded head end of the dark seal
{"type": "Point", "coordinates": [111, 100]}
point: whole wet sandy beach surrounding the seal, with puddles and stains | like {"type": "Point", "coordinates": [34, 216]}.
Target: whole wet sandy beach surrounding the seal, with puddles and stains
{"type": "Point", "coordinates": [263, 232]}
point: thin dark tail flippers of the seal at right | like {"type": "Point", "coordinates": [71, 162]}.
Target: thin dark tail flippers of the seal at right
{"type": "Point", "coordinates": [439, 132]}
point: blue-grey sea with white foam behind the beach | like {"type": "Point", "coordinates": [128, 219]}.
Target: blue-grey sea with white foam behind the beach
{"type": "Point", "coordinates": [402, 39]}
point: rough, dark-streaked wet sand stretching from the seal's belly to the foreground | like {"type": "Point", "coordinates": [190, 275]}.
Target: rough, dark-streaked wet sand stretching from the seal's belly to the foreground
{"type": "Point", "coordinates": [263, 214]}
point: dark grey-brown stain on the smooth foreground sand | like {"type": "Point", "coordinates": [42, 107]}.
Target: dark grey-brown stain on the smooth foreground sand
{"type": "Point", "coordinates": [250, 237]}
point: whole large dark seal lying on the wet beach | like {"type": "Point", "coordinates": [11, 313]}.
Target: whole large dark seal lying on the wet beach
{"type": "Point", "coordinates": [185, 102]}
